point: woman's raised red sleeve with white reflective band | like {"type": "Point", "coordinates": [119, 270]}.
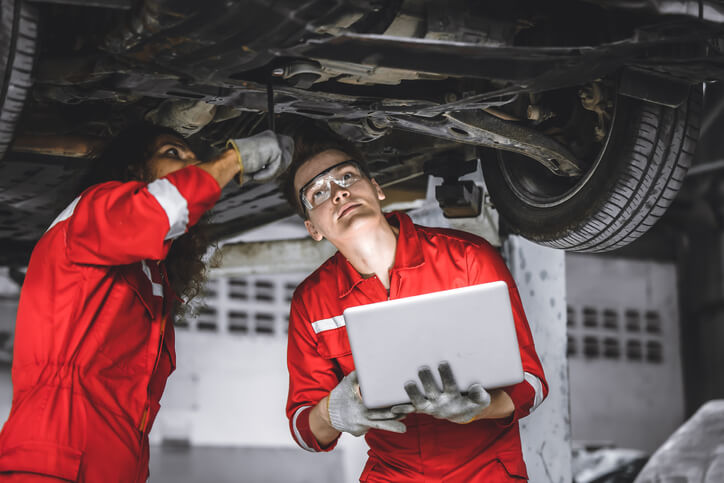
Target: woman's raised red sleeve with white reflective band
{"type": "Point", "coordinates": [118, 223]}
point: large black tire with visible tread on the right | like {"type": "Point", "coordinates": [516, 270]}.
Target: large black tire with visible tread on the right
{"type": "Point", "coordinates": [627, 189]}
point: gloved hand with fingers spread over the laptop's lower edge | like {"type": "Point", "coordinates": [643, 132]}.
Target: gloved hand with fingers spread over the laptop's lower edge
{"type": "Point", "coordinates": [449, 404]}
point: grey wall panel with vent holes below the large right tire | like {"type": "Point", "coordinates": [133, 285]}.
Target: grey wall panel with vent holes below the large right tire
{"type": "Point", "coordinates": [623, 351]}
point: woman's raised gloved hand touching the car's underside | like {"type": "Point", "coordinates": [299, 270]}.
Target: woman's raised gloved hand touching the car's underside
{"type": "Point", "coordinates": [263, 156]}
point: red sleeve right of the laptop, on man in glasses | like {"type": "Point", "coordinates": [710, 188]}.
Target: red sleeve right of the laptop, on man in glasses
{"type": "Point", "coordinates": [486, 265]}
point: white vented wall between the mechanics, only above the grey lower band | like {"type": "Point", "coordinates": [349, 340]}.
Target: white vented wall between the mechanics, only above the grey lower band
{"type": "Point", "coordinates": [230, 384]}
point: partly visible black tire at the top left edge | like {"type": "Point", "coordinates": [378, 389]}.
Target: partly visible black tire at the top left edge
{"type": "Point", "coordinates": [18, 33]}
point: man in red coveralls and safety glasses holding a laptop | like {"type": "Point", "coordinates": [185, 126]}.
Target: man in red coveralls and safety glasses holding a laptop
{"type": "Point", "coordinates": [447, 436]}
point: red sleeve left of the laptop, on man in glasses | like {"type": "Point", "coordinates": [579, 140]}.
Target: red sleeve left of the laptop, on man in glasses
{"type": "Point", "coordinates": [311, 377]}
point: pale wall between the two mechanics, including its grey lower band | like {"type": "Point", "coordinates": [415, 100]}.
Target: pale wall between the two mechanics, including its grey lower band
{"type": "Point", "coordinates": [229, 391]}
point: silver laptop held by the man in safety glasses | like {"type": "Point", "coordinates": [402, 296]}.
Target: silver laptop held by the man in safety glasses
{"type": "Point", "coordinates": [472, 328]}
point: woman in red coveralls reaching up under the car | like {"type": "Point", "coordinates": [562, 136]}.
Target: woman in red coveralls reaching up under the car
{"type": "Point", "coordinates": [93, 342]}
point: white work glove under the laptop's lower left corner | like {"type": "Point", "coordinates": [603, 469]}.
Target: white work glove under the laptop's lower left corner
{"type": "Point", "coordinates": [349, 415]}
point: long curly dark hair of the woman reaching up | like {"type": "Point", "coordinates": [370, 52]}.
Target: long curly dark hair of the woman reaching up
{"type": "Point", "coordinates": [124, 159]}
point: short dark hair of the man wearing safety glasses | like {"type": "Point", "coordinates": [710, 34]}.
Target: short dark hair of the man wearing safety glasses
{"type": "Point", "coordinates": [310, 140]}
